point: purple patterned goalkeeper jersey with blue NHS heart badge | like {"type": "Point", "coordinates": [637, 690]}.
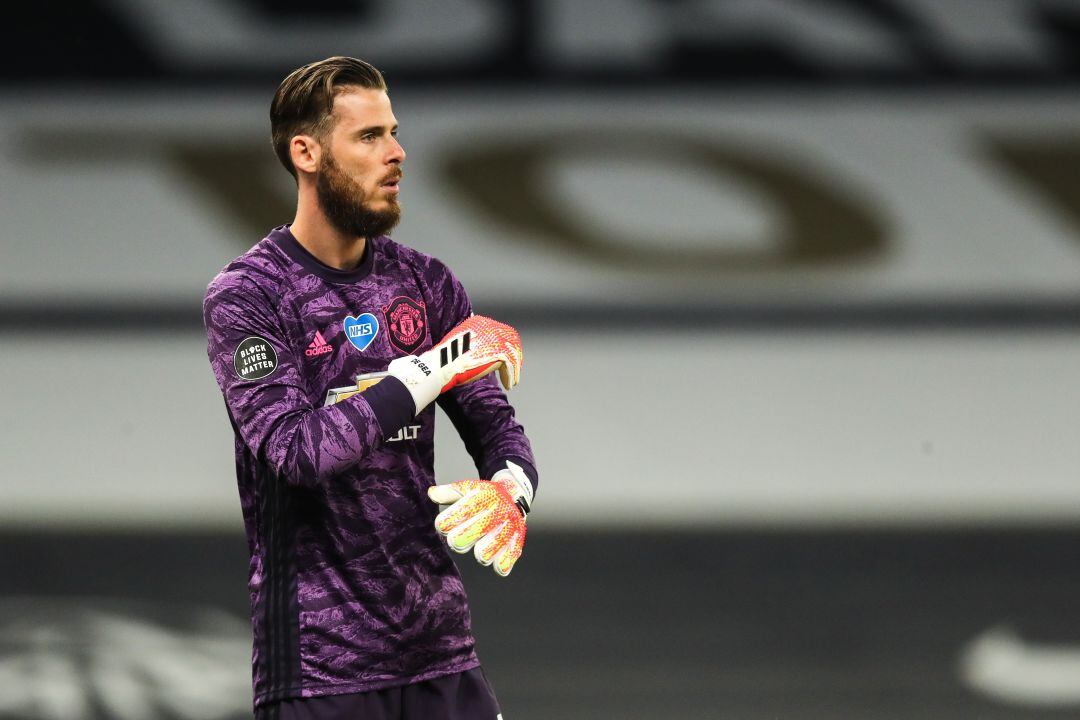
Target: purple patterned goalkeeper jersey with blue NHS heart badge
{"type": "Point", "coordinates": [352, 588]}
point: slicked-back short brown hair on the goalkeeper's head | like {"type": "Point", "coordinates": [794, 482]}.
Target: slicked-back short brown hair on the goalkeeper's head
{"type": "Point", "coordinates": [304, 103]}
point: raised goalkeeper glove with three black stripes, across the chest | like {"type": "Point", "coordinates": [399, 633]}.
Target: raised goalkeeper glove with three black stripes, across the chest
{"type": "Point", "coordinates": [477, 347]}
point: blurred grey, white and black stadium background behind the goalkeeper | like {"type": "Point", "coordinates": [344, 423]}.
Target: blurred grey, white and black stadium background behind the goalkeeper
{"type": "Point", "coordinates": [799, 286]}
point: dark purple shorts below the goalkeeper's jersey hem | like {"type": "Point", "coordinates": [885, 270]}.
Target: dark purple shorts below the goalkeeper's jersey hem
{"type": "Point", "coordinates": [461, 697]}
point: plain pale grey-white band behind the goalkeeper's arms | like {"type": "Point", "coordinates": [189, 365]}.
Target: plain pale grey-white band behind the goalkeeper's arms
{"type": "Point", "coordinates": [628, 429]}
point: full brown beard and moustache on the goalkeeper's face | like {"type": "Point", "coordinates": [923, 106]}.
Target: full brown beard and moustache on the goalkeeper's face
{"type": "Point", "coordinates": [344, 202]}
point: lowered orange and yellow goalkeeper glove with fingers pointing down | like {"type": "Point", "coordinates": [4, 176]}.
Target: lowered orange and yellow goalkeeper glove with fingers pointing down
{"type": "Point", "coordinates": [488, 517]}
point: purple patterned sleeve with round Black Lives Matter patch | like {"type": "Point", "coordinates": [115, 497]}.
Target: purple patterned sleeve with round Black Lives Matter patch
{"type": "Point", "coordinates": [303, 444]}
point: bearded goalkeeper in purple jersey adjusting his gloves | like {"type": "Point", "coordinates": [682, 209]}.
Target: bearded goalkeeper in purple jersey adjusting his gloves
{"type": "Point", "coordinates": [357, 607]}
